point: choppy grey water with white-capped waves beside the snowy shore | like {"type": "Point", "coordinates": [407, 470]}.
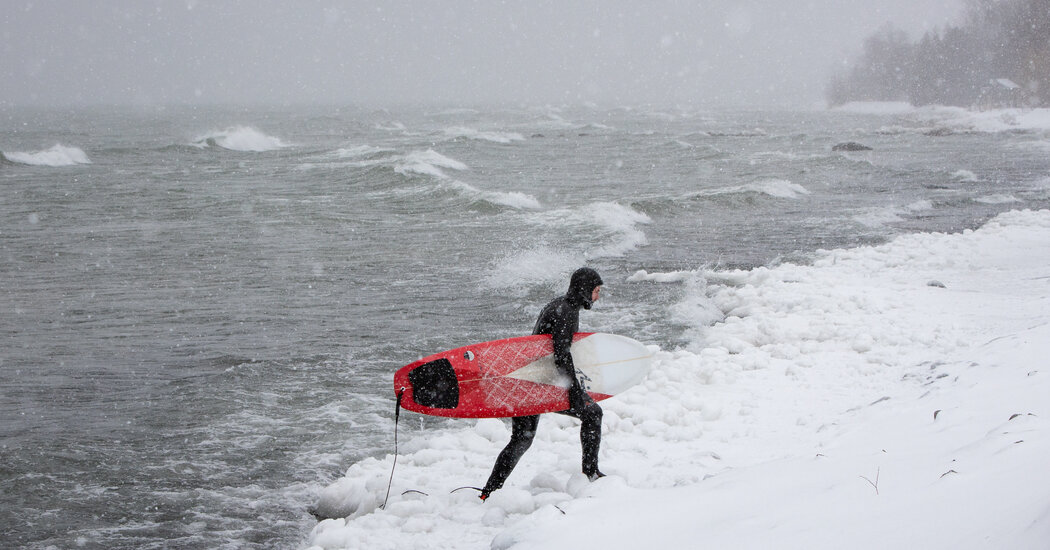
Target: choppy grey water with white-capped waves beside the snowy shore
{"type": "Point", "coordinates": [204, 308]}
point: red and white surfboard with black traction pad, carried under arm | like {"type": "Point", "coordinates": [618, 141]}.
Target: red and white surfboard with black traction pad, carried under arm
{"type": "Point", "coordinates": [517, 377]}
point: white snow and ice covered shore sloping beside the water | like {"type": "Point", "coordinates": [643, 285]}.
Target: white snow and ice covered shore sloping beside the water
{"type": "Point", "coordinates": [884, 397]}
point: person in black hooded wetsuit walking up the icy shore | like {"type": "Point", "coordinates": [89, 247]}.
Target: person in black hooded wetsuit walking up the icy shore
{"type": "Point", "coordinates": [561, 320]}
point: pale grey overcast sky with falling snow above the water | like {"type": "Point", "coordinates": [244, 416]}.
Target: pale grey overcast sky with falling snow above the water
{"type": "Point", "coordinates": [614, 52]}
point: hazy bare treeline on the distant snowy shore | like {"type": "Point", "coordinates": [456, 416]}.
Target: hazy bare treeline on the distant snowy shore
{"type": "Point", "coordinates": [999, 57]}
